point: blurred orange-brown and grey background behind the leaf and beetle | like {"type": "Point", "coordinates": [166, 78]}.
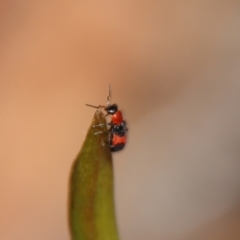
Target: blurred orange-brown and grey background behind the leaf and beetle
{"type": "Point", "coordinates": [174, 71]}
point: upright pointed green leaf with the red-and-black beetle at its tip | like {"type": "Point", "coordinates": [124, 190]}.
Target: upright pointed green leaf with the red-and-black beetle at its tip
{"type": "Point", "coordinates": [91, 205]}
